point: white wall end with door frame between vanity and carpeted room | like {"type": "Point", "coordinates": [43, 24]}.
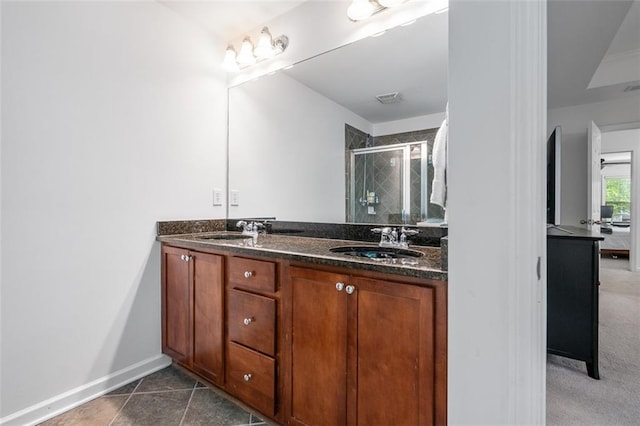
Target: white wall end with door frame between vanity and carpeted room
{"type": "Point", "coordinates": [496, 212]}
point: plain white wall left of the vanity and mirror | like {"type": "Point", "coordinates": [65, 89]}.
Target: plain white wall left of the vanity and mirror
{"type": "Point", "coordinates": [113, 117]}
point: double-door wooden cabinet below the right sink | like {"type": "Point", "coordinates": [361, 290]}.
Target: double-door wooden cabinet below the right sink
{"type": "Point", "coordinates": [364, 351]}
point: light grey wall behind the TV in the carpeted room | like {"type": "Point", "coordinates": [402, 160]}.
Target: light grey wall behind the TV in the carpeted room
{"type": "Point", "coordinates": [574, 122]}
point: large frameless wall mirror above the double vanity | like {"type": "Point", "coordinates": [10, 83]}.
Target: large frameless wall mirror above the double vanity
{"type": "Point", "coordinates": [313, 143]}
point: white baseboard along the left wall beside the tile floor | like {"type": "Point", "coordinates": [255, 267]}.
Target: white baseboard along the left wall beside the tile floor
{"type": "Point", "coordinates": [52, 407]}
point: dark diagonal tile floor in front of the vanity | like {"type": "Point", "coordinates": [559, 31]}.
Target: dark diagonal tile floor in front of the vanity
{"type": "Point", "coordinates": [168, 397]}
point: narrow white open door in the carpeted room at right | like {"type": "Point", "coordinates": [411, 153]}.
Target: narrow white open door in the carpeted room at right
{"type": "Point", "coordinates": [594, 181]}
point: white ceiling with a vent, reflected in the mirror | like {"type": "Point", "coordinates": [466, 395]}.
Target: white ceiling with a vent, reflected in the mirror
{"type": "Point", "coordinates": [400, 60]}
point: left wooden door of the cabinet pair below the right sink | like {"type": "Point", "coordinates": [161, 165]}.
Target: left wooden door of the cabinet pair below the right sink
{"type": "Point", "coordinates": [319, 348]}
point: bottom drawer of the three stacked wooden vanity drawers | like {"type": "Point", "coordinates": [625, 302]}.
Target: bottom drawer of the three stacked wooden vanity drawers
{"type": "Point", "coordinates": [251, 377]}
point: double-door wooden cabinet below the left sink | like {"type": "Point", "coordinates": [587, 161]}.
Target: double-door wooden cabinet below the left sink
{"type": "Point", "coordinates": [193, 311]}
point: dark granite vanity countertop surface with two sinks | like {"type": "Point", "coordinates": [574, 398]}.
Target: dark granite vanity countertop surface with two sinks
{"type": "Point", "coordinates": [315, 250]}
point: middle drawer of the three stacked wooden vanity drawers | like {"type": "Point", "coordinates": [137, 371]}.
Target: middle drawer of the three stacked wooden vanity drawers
{"type": "Point", "coordinates": [252, 321]}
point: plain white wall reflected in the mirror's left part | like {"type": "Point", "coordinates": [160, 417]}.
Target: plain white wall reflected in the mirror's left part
{"type": "Point", "coordinates": [277, 111]}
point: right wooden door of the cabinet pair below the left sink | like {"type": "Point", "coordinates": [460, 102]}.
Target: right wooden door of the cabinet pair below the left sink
{"type": "Point", "coordinates": [208, 316]}
